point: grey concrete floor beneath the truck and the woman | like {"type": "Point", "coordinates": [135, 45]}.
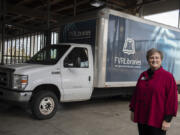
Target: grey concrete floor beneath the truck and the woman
{"type": "Point", "coordinates": [108, 116]}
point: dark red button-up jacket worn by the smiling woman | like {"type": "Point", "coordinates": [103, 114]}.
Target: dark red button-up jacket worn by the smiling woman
{"type": "Point", "coordinates": [154, 98]}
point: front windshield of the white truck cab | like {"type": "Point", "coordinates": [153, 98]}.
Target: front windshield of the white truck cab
{"type": "Point", "coordinates": [49, 55]}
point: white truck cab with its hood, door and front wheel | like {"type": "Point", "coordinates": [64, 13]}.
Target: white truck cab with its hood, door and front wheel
{"type": "Point", "coordinates": [62, 72]}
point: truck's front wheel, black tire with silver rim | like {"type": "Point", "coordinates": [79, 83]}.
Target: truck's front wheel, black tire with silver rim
{"type": "Point", "coordinates": [44, 105]}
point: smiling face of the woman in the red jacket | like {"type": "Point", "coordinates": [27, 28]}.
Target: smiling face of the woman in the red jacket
{"type": "Point", "coordinates": [155, 61]}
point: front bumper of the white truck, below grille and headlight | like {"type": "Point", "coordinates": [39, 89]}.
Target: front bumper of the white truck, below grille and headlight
{"type": "Point", "coordinates": [17, 96]}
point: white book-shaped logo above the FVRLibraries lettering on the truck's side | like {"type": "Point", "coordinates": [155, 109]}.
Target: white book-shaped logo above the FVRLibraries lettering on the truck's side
{"type": "Point", "coordinates": [129, 46]}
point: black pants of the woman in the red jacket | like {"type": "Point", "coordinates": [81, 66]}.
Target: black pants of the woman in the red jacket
{"type": "Point", "coordinates": [148, 130]}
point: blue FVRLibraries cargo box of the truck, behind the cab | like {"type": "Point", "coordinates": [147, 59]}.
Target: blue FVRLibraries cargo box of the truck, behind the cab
{"type": "Point", "coordinates": [120, 42]}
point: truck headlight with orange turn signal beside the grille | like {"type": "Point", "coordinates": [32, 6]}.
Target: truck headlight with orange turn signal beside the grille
{"type": "Point", "coordinates": [20, 81]}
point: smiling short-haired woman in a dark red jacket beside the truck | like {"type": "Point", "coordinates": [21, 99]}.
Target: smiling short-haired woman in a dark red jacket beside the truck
{"type": "Point", "coordinates": [154, 101]}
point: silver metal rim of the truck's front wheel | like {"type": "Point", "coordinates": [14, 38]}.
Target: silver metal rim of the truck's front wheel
{"type": "Point", "coordinates": [47, 105]}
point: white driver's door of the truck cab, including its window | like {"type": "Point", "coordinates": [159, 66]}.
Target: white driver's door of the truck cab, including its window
{"type": "Point", "coordinates": [77, 75]}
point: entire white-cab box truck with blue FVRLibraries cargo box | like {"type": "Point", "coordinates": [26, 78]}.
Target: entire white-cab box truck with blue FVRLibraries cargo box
{"type": "Point", "coordinates": [100, 54]}
